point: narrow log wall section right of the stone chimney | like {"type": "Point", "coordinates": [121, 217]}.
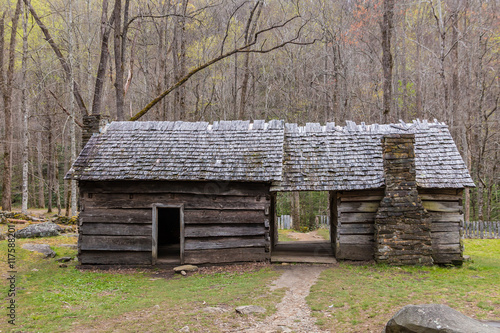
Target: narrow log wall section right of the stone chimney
{"type": "Point", "coordinates": [446, 212]}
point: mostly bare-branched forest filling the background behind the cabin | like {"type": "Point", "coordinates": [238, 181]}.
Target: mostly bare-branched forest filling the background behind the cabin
{"type": "Point", "coordinates": [303, 61]}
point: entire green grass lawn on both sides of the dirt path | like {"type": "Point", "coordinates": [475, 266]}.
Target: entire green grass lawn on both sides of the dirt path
{"type": "Point", "coordinates": [347, 298]}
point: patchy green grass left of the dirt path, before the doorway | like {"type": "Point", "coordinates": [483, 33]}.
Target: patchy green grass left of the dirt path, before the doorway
{"type": "Point", "coordinates": [54, 299]}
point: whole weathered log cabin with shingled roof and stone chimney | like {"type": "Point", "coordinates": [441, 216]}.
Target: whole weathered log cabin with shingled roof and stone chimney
{"type": "Point", "coordinates": [200, 193]}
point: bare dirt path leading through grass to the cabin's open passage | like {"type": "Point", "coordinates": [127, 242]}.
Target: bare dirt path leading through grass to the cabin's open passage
{"type": "Point", "coordinates": [293, 314]}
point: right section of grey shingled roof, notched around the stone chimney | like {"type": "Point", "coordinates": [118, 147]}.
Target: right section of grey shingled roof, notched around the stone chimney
{"type": "Point", "coordinates": [350, 158]}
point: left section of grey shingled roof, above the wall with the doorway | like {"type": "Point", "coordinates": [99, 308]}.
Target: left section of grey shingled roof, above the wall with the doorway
{"type": "Point", "coordinates": [152, 150]}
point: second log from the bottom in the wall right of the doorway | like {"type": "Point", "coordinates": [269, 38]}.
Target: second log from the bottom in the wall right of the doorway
{"type": "Point", "coordinates": [223, 243]}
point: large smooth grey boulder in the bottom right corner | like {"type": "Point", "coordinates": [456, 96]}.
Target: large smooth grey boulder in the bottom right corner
{"type": "Point", "coordinates": [434, 318]}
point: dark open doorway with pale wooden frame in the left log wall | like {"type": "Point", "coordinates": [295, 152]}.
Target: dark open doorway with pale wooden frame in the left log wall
{"type": "Point", "coordinates": [168, 234]}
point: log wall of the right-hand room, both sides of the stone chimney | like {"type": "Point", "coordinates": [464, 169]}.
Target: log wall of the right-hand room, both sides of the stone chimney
{"type": "Point", "coordinates": [353, 216]}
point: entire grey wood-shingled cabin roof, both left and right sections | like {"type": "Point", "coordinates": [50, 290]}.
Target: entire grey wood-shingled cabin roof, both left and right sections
{"type": "Point", "coordinates": [312, 157]}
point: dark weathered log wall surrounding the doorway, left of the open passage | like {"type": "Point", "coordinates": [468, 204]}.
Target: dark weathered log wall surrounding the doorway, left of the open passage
{"type": "Point", "coordinates": [223, 222]}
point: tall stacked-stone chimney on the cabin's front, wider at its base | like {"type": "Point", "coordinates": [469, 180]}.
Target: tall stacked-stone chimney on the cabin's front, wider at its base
{"type": "Point", "coordinates": [402, 225]}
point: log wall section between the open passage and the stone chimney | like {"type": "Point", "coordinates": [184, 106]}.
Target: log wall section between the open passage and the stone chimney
{"type": "Point", "coordinates": [355, 224]}
